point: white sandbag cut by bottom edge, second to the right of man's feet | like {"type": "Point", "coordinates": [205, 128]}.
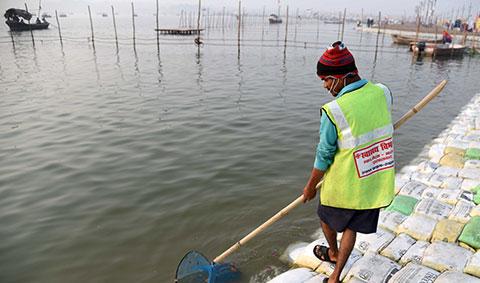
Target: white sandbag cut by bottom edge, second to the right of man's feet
{"type": "Point", "coordinates": [414, 273]}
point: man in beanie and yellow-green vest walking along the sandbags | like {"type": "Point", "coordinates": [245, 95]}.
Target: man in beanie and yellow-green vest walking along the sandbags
{"type": "Point", "coordinates": [354, 156]}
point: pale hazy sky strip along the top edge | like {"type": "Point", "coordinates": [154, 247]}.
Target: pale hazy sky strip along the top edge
{"type": "Point", "coordinates": [387, 7]}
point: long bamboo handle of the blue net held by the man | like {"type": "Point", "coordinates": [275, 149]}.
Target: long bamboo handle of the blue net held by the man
{"type": "Point", "coordinates": [283, 212]}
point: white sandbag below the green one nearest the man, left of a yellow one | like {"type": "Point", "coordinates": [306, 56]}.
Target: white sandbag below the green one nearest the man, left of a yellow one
{"type": "Point", "coordinates": [418, 226]}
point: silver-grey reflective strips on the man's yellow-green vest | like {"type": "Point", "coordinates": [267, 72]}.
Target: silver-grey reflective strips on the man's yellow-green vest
{"type": "Point", "coordinates": [348, 140]}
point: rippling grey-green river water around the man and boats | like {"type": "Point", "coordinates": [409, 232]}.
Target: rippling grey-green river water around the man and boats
{"type": "Point", "coordinates": [114, 165]}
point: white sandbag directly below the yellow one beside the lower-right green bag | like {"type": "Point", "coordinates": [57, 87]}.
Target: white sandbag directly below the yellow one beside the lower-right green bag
{"type": "Point", "coordinates": [443, 256]}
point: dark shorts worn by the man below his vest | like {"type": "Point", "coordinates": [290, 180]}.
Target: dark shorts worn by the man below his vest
{"type": "Point", "coordinates": [362, 221]}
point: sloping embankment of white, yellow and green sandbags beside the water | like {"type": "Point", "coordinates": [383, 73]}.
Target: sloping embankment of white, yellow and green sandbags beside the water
{"type": "Point", "coordinates": [430, 232]}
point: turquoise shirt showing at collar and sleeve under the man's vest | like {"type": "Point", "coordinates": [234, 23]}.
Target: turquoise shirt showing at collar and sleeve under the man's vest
{"type": "Point", "coordinates": [327, 146]}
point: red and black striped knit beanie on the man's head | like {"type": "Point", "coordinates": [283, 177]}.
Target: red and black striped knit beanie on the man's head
{"type": "Point", "coordinates": [337, 62]}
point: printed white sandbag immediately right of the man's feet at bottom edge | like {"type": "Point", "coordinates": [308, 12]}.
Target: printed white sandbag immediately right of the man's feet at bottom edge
{"type": "Point", "coordinates": [363, 269]}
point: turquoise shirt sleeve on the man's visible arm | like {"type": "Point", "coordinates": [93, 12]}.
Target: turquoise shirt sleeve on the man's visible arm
{"type": "Point", "coordinates": [327, 146]}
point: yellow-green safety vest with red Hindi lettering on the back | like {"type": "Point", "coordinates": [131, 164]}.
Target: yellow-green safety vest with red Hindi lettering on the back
{"type": "Point", "coordinates": [362, 174]}
